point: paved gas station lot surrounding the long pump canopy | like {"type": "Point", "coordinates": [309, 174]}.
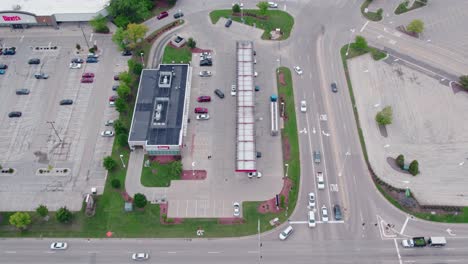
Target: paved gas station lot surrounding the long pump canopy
{"type": "Point", "coordinates": [214, 197]}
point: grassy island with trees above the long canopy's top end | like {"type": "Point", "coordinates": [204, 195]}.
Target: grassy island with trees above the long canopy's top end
{"type": "Point", "coordinates": [276, 19]}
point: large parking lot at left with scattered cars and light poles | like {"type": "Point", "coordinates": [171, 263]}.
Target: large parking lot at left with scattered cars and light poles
{"type": "Point", "coordinates": [56, 150]}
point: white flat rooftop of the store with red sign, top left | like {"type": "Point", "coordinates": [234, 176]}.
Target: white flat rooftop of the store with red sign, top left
{"type": "Point", "coordinates": [51, 7]}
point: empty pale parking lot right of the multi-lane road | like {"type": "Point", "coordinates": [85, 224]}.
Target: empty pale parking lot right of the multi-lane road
{"type": "Point", "coordinates": [428, 126]}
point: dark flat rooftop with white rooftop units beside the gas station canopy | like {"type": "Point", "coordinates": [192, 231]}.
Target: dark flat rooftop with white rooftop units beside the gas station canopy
{"type": "Point", "coordinates": [159, 107]}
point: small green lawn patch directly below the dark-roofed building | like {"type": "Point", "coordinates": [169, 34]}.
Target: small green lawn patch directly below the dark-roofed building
{"type": "Point", "coordinates": [158, 175]}
